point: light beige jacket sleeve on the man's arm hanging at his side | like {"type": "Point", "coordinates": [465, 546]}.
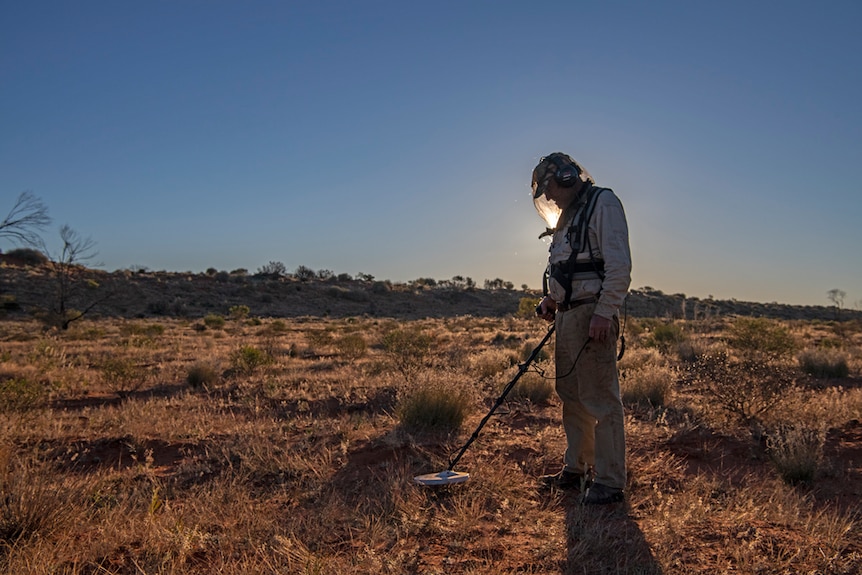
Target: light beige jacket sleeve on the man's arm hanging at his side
{"type": "Point", "coordinates": [609, 236]}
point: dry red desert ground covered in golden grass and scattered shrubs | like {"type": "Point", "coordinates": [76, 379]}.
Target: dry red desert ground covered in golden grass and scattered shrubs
{"type": "Point", "coordinates": [226, 440]}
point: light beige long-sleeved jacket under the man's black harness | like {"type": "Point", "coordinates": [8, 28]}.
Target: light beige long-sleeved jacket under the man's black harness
{"type": "Point", "coordinates": [609, 240]}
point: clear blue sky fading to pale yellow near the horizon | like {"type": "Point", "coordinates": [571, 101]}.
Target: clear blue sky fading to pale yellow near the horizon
{"type": "Point", "coordinates": [397, 138]}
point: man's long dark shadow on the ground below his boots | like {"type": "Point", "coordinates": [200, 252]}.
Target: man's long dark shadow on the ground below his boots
{"type": "Point", "coordinates": [604, 539]}
